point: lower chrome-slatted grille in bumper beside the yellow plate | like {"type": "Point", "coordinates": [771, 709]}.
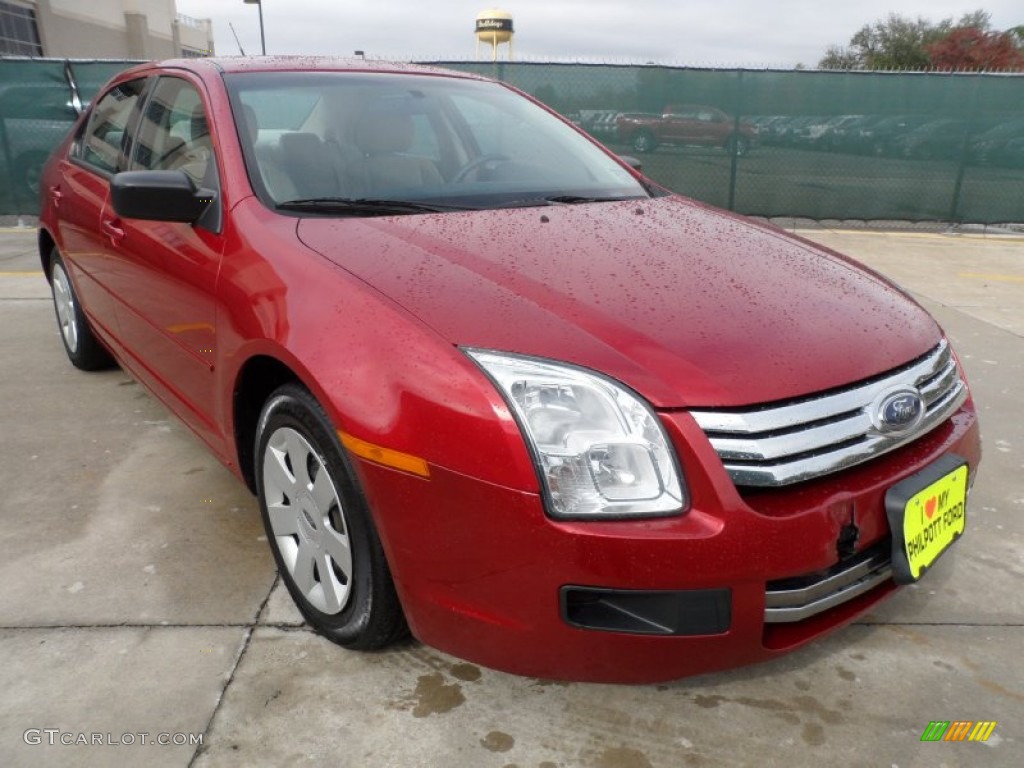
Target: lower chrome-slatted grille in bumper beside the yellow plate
{"type": "Point", "coordinates": [800, 599]}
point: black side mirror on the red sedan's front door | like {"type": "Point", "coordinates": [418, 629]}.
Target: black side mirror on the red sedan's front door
{"type": "Point", "coordinates": [159, 196]}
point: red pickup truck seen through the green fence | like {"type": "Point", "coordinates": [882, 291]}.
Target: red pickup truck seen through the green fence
{"type": "Point", "coordinates": [685, 125]}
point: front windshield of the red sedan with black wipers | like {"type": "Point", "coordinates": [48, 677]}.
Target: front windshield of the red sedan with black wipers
{"type": "Point", "coordinates": [331, 143]}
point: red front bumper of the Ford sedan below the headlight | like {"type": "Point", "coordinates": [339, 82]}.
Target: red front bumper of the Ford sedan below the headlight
{"type": "Point", "coordinates": [484, 574]}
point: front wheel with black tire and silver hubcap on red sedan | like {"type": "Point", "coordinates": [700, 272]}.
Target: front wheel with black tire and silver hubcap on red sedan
{"type": "Point", "coordinates": [320, 527]}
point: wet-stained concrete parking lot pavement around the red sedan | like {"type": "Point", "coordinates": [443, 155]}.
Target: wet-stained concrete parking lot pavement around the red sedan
{"type": "Point", "coordinates": [141, 596]}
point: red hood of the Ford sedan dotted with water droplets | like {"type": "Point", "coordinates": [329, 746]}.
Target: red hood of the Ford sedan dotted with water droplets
{"type": "Point", "coordinates": [688, 306]}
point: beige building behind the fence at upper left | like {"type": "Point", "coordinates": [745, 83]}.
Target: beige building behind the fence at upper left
{"type": "Point", "coordinates": [102, 29]}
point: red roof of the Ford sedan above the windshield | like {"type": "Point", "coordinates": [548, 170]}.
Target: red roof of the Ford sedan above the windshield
{"type": "Point", "coordinates": [231, 65]}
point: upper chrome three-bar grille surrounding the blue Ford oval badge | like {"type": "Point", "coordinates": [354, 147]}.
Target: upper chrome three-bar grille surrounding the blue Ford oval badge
{"type": "Point", "coordinates": [798, 441]}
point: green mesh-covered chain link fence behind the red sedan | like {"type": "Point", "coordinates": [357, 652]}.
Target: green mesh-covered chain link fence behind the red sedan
{"type": "Point", "coordinates": [908, 147]}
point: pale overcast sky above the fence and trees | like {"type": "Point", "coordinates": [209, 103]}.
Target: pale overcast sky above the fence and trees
{"type": "Point", "coordinates": [682, 32]}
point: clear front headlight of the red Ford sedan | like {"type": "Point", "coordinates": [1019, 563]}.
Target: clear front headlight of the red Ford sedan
{"type": "Point", "coordinates": [602, 451]}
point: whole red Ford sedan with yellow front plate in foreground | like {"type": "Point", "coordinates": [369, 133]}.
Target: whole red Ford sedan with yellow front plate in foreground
{"type": "Point", "coordinates": [491, 385]}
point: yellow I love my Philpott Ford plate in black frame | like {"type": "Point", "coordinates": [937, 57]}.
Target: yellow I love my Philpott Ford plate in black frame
{"type": "Point", "coordinates": [927, 514]}
